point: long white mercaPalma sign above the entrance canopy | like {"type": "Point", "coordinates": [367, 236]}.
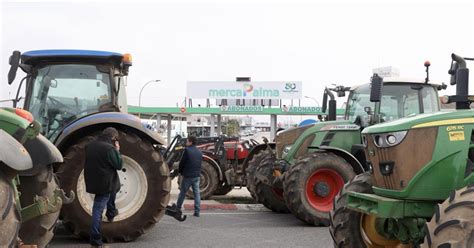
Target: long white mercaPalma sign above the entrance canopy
{"type": "Point", "coordinates": [244, 90]}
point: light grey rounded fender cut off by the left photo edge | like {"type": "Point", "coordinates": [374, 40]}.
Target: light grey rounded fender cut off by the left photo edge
{"type": "Point", "coordinates": [13, 154]}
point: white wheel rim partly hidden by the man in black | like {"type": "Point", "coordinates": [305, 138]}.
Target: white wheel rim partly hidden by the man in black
{"type": "Point", "coordinates": [132, 194]}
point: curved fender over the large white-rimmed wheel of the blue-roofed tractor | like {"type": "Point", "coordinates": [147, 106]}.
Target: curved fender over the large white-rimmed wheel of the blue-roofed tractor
{"type": "Point", "coordinates": [91, 123]}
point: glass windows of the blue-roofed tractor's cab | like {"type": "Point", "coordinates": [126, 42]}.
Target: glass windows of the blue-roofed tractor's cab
{"type": "Point", "coordinates": [61, 93]}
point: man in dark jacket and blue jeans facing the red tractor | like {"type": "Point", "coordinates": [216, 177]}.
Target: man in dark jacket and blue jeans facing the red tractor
{"type": "Point", "coordinates": [190, 169]}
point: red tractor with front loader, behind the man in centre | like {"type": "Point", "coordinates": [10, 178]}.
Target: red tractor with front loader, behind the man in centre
{"type": "Point", "coordinates": [223, 166]}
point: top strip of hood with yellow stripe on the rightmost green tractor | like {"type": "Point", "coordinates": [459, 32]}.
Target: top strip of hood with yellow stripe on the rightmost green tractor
{"type": "Point", "coordinates": [424, 120]}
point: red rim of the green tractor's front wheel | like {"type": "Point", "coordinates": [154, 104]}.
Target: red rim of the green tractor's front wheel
{"type": "Point", "coordinates": [321, 188]}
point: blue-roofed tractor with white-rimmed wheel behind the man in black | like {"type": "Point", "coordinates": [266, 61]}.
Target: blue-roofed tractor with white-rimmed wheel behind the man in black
{"type": "Point", "coordinates": [74, 95]}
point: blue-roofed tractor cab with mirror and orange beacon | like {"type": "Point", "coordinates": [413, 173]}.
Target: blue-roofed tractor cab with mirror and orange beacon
{"type": "Point", "coordinates": [65, 85]}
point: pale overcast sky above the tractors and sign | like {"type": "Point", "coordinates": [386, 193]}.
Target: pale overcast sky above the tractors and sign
{"type": "Point", "coordinates": [316, 43]}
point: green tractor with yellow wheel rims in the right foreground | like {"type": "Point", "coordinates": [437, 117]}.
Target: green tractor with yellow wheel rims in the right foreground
{"type": "Point", "coordinates": [419, 188]}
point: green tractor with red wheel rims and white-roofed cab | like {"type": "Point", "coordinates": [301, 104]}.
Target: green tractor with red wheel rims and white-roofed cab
{"type": "Point", "coordinates": [313, 162]}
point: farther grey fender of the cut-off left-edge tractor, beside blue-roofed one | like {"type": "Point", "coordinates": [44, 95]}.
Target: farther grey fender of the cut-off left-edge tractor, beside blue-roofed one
{"type": "Point", "coordinates": [42, 153]}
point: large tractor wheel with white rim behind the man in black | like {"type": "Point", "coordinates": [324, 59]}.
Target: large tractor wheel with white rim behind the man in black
{"type": "Point", "coordinates": [141, 201]}
